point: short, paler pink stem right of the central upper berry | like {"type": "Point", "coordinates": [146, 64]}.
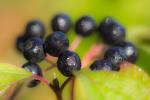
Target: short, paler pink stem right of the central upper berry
{"type": "Point", "coordinates": [75, 43]}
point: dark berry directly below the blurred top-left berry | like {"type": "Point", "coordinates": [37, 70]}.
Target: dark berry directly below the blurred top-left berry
{"type": "Point", "coordinates": [34, 50]}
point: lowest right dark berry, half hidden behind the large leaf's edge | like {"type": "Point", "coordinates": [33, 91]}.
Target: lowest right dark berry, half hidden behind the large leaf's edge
{"type": "Point", "coordinates": [101, 65]}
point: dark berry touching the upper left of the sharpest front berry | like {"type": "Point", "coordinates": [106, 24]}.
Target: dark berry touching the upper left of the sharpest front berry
{"type": "Point", "coordinates": [56, 43]}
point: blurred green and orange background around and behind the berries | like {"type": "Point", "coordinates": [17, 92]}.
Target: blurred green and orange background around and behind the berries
{"type": "Point", "coordinates": [14, 14]}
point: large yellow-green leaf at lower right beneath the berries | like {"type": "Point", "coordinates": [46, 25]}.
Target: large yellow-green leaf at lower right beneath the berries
{"type": "Point", "coordinates": [131, 83]}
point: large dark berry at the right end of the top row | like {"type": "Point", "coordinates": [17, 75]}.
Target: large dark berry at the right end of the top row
{"type": "Point", "coordinates": [111, 31]}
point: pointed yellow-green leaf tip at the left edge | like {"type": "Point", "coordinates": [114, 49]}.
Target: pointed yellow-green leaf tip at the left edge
{"type": "Point", "coordinates": [9, 74]}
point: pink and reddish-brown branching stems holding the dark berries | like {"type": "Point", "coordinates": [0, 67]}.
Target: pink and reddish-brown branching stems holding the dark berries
{"type": "Point", "coordinates": [92, 53]}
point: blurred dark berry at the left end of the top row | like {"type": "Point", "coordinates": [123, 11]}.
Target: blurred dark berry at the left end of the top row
{"type": "Point", "coordinates": [35, 28]}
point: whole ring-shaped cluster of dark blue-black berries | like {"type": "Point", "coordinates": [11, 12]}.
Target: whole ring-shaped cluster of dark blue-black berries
{"type": "Point", "coordinates": [35, 49]}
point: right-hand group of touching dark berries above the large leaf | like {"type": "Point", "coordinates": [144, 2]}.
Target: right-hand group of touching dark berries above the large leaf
{"type": "Point", "coordinates": [113, 34]}
